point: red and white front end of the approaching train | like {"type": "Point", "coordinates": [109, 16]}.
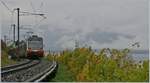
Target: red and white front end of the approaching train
{"type": "Point", "coordinates": [35, 47]}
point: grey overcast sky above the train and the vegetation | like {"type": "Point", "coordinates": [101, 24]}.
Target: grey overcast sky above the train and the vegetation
{"type": "Point", "coordinates": [98, 23]}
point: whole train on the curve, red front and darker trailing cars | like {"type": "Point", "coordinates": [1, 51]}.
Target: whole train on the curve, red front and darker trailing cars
{"type": "Point", "coordinates": [31, 48]}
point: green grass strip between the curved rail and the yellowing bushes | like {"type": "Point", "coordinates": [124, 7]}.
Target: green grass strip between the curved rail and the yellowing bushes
{"type": "Point", "coordinates": [63, 75]}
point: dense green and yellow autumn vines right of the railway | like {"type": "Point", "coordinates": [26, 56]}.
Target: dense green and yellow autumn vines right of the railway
{"type": "Point", "coordinates": [88, 66]}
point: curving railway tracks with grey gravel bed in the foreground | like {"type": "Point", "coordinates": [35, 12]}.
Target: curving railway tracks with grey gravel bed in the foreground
{"type": "Point", "coordinates": [34, 70]}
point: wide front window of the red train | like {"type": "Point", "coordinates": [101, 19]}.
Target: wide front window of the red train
{"type": "Point", "coordinates": [34, 45]}
